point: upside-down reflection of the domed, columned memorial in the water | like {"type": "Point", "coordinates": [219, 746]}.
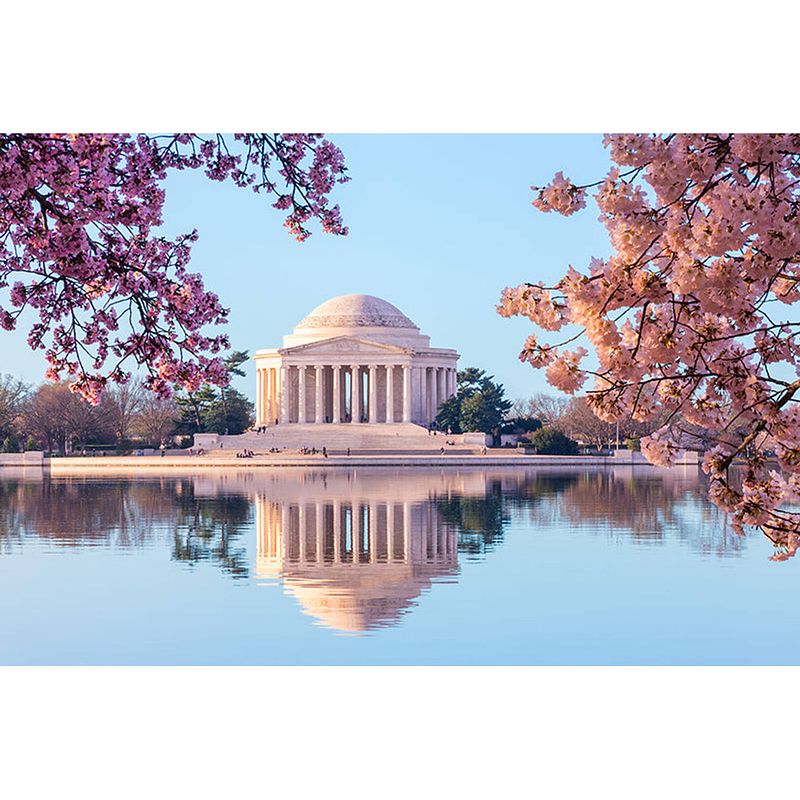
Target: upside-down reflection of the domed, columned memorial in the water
{"type": "Point", "coordinates": [354, 566]}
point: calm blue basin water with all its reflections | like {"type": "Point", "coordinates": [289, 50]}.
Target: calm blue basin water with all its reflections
{"type": "Point", "coordinates": [386, 566]}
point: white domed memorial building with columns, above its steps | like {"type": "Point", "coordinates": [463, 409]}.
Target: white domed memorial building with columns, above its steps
{"type": "Point", "coordinates": [354, 359]}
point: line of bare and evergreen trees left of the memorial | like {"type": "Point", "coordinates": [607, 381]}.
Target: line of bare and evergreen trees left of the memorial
{"type": "Point", "coordinates": [53, 418]}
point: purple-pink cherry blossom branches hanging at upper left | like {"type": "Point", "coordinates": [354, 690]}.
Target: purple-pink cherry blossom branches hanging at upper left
{"type": "Point", "coordinates": [79, 246]}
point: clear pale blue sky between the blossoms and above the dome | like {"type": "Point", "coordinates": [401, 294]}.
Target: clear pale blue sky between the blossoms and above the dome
{"type": "Point", "coordinates": [439, 224]}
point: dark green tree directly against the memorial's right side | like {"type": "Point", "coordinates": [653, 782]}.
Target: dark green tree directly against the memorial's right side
{"type": "Point", "coordinates": [479, 404]}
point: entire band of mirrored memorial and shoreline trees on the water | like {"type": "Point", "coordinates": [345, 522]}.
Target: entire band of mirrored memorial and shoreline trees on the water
{"type": "Point", "coordinates": [357, 548]}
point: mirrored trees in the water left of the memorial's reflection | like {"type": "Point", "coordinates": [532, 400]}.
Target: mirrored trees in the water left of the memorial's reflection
{"type": "Point", "coordinates": [127, 514]}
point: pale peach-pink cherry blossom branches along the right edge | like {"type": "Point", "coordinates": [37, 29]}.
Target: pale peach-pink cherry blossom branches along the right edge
{"type": "Point", "coordinates": [690, 315]}
